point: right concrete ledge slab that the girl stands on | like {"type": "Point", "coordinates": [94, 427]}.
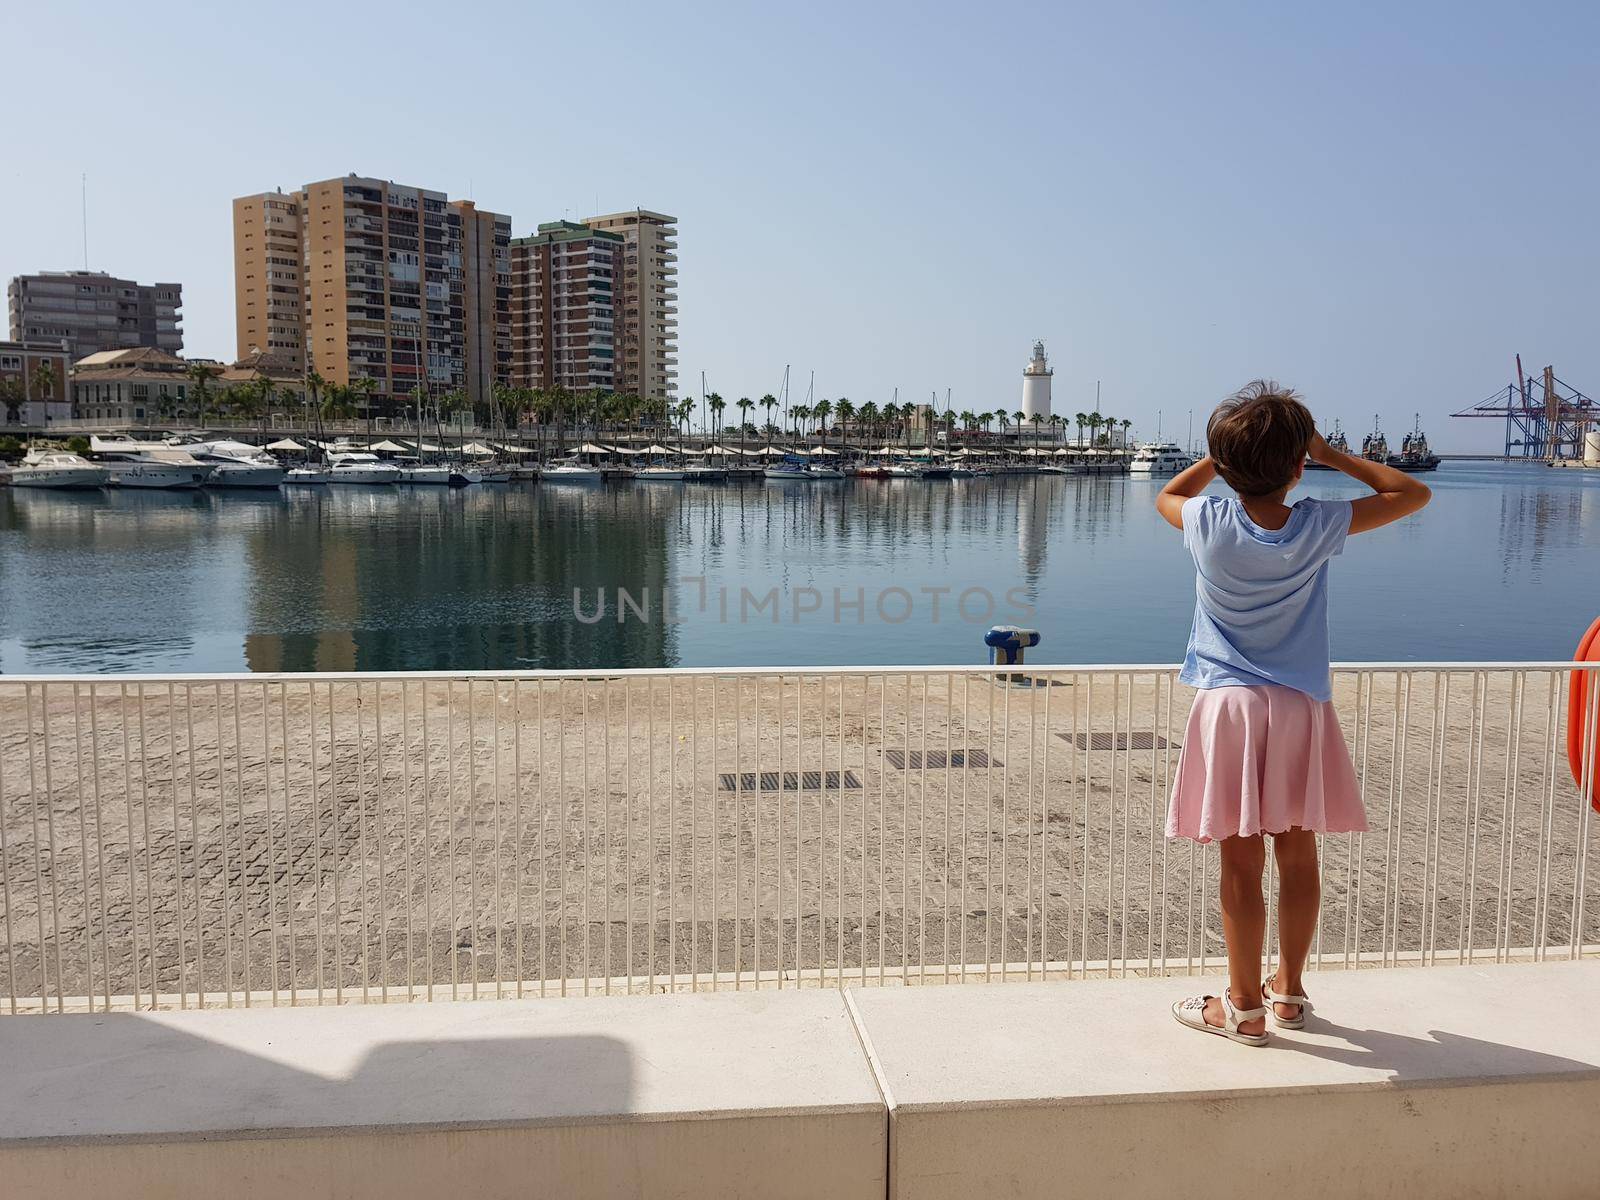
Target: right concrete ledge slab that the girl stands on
{"type": "Point", "coordinates": [1450, 1082]}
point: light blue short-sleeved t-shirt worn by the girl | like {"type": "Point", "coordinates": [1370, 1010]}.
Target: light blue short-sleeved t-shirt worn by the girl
{"type": "Point", "coordinates": [1262, 596]}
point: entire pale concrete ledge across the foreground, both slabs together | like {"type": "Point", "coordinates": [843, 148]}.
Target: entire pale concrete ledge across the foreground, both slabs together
{"type": "Point", "coordinates": [1441, 1082]}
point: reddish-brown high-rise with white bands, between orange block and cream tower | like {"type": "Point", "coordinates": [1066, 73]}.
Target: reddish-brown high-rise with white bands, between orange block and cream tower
{"type": "Point", "coordinates": [564, 308]}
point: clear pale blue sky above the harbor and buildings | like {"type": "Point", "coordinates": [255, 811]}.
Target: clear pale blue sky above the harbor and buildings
{"type": "Point", "coordinates": [1378, 204]}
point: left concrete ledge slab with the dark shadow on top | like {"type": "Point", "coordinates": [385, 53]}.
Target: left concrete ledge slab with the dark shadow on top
{"type": "Point", "coordinates": [713, 1095]}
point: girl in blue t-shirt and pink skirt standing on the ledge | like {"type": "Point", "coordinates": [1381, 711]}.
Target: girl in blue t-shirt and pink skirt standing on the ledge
{"type": "Point", "coordinates": [1263, 753]}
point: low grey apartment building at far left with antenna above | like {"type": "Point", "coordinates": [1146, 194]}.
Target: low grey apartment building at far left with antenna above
{"type": "Point", "coordinates": [92, 311]}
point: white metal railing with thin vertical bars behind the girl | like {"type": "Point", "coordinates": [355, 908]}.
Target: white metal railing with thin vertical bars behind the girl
{"type": "Point", "coordinates": [308, 839]}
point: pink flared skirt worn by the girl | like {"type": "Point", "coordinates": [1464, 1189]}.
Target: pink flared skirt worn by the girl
{"type": "Point", "coordinates": [1263, 761]}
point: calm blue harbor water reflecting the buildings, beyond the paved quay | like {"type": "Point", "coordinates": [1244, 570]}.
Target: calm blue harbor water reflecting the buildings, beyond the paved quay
{"type": "Point", "coordinates": [1503, 566]}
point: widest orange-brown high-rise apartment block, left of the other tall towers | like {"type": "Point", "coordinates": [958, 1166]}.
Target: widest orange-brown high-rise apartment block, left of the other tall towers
{"type": "Point", "coordinates": [386, 278]}
